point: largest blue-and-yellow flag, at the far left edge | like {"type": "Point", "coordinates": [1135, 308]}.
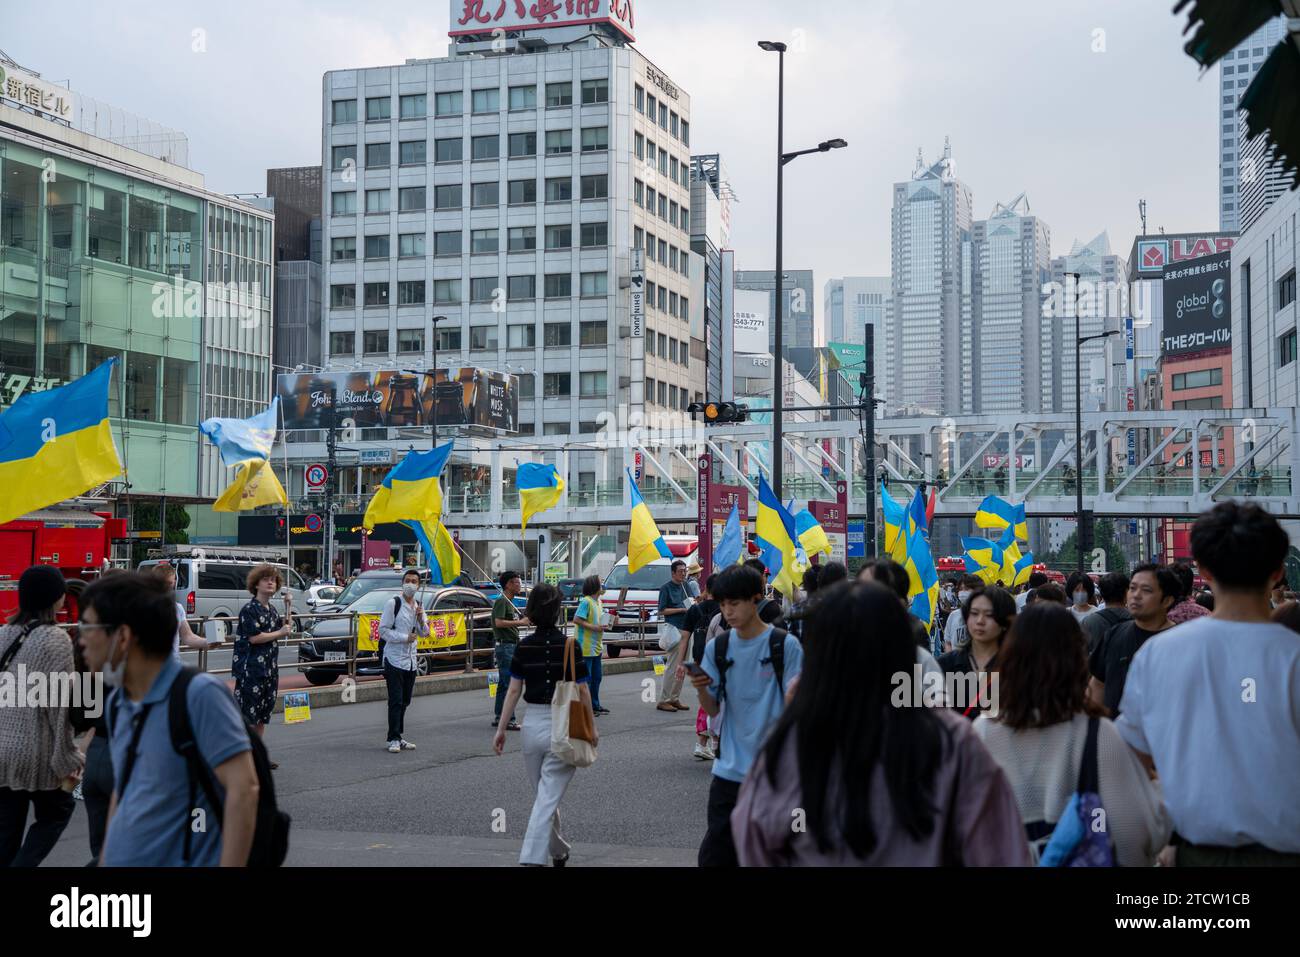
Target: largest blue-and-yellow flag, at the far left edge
{"type": "Point", "coordinates": [57, 444]}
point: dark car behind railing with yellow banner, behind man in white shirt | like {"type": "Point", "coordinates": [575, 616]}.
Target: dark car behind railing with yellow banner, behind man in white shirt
{"type": "Point", "coordinates": [323, 657]}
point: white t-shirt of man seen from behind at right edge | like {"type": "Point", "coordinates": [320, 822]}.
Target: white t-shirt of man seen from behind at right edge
{"type": "Point", "coordinates": [1217, 707]}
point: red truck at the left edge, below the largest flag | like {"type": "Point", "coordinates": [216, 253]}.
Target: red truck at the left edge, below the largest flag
{"type": "Point", "coordinates": [75, 542]}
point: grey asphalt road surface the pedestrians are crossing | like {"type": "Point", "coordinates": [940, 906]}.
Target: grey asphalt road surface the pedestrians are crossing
{"type": "Point", "coordinates": [353, 803]}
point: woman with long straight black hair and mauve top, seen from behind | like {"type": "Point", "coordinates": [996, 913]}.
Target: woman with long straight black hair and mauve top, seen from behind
{"type": "Point", "coordinates": [872, 785]}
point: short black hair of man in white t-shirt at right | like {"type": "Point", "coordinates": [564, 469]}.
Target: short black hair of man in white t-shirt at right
{"type": "Point", "coordinates": [1241, 545]}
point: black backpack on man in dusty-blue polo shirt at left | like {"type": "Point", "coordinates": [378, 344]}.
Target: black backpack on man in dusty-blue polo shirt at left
{"type": "Point", "coordinates": [271, 828]}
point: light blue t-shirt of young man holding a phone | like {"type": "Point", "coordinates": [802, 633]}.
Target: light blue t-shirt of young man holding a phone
{"type": "Point", "coordinates": [753, 701]}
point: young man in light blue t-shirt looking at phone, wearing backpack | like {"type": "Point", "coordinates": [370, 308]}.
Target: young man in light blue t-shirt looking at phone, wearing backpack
{"type": "Point", "coordinates": [749, 668]}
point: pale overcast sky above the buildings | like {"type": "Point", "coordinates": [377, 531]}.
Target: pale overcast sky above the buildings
{"type": "Point", "coordinates": [1017, 85]}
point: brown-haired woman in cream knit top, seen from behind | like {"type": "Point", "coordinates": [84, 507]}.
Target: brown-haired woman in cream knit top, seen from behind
{"type": "Point", "coordinates": [1041, 733]}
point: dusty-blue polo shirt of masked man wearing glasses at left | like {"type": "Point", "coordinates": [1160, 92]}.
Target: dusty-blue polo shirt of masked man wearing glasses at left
{"type": "Point", "coordinates": [154, 815]}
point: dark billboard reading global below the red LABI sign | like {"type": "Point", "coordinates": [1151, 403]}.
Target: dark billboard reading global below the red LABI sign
{"type": "Point", "coordinates": [1198, 306]}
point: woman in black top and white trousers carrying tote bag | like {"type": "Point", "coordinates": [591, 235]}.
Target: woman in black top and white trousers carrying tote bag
{"type": "Point", "coordinates": [538, 668]}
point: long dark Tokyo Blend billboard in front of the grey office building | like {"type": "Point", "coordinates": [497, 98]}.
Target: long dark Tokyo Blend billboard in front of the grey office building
{"type": "Point", "coordinates": [391, 399]}
